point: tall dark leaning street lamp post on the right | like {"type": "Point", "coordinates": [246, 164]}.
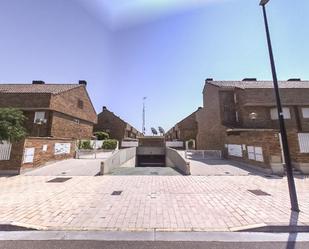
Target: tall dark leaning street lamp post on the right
{"type": "Point", "coordinates": [285, 146]}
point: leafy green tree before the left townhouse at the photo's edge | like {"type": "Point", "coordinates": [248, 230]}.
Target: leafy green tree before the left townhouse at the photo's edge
{"type": "Point", "coordinates": [11, 125]}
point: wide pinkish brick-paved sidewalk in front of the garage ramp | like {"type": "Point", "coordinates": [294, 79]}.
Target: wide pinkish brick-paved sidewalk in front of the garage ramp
{"type": "Point", "coordinates": [174, 203]}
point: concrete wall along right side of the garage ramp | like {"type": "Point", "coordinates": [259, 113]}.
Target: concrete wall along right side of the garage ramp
{"type": "Point", "coordinates": [175, 160]}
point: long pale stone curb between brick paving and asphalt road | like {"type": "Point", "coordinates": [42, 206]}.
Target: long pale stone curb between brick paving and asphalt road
{"type": "Point", "coordinates": [153, 236]}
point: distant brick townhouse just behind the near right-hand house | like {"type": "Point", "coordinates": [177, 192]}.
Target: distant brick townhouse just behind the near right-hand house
{"type": "Point", "coordinates": [184, 130]}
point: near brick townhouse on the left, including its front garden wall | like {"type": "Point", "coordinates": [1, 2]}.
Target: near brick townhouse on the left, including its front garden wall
{"type": "Point", "coordinates": [56, 116]}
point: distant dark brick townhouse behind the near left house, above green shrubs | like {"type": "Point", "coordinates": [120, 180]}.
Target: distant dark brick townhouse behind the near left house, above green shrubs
{"type": "Point", "coordinates": [115, 126]}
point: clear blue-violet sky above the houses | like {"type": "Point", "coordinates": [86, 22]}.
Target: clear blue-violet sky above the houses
{"type": "Point", "coordinates": [161, 49]}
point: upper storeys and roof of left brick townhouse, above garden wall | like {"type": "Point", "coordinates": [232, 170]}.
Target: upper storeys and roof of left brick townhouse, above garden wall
{"type": "Point", "coordinates": [65, 118]}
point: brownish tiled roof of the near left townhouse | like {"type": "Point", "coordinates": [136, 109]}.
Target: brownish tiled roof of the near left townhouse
{"type": "Point", "coordinates": [37, 88]}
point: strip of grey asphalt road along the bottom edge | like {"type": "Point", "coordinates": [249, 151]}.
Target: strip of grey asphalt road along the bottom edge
{"type": "Point", "coordinates": [148, 245]}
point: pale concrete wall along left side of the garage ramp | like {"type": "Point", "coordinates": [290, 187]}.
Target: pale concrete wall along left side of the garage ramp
{"type": "Point", "coordinates": [122, 157]}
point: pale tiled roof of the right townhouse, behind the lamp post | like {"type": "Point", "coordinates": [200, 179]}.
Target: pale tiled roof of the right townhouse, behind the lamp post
{"type": "Point", "coordinates": [258, 84]}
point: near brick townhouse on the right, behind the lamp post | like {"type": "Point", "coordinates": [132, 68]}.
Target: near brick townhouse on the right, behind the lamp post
{"type": "Point", "coordinates": [240, 118]}
